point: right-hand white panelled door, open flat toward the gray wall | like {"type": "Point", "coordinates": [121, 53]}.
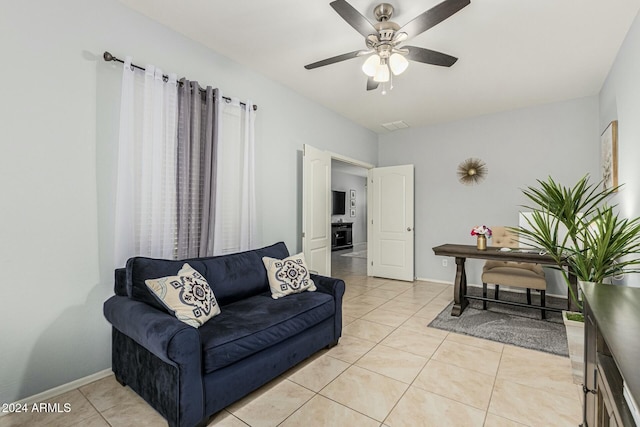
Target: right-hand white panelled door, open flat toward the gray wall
{"type": "Point", "coordinates": [391, 237]}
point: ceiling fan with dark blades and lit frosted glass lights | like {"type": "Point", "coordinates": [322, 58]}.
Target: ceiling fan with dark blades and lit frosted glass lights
{"type": "Point", "coordinates": [383, 40]}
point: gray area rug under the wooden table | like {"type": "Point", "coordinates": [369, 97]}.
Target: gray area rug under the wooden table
{"type": "Point", "coordinates": [507, 324]}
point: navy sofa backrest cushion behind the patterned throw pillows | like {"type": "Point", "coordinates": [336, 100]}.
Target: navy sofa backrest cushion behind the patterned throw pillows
{"type": "Point", "coordinates": [231, 277]}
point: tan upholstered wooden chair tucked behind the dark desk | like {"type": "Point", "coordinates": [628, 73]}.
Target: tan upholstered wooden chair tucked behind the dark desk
{"type": "Point", "coordinates": [509, 273]}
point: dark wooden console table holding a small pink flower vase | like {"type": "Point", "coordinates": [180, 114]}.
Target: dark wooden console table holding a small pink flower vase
{"type": "Point", "coordinates": [462, 252]}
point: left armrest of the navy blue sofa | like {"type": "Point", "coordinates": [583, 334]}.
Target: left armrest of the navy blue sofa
{"type": "Point", "coordinates": [162, 334]}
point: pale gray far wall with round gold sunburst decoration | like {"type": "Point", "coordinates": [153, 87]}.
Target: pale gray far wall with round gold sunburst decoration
{"type": "Point", "coordinates": [560, 139]}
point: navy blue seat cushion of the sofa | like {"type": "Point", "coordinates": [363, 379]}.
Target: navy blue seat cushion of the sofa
{"type": "Point", "coordinates": [253, 324]}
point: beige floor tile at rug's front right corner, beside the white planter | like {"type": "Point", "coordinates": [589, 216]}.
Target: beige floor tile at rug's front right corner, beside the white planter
{"type": "Point", "coordinates": [537, 369]}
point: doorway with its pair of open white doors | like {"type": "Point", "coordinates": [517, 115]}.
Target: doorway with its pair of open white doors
{"type": "Point", "coordinates": [388, 215]}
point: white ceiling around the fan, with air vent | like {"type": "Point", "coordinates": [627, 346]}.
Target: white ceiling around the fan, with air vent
{"type": "Point", "coordinates": [512, 53]}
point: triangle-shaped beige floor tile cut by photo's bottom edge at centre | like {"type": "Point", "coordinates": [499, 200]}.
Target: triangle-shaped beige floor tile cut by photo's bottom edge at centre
{"type": "Point", "coordinates": [322, 412]}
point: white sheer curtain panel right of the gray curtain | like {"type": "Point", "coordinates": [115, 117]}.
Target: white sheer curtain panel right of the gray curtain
{"type": "Point", "coordinates": [235, 208]}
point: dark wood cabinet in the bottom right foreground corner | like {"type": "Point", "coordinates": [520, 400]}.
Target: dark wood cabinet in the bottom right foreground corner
{"type": "Point", "coordinates": [611, 352]}
